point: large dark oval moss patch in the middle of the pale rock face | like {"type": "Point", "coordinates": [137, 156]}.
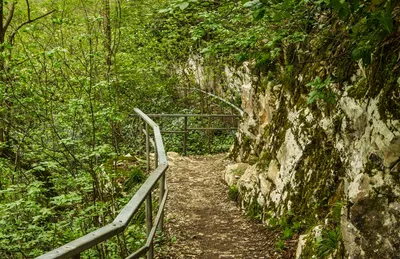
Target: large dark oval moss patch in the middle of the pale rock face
{"type": "Point", "coordinates": [318, 176]}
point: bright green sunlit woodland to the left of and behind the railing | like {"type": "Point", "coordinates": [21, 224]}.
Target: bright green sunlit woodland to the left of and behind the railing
{"type": "Point", "coordinates": [70, 74]}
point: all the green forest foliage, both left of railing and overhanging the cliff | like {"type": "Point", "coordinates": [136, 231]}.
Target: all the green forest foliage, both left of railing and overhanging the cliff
{"type": "Point", "coordinates": [71, 71]}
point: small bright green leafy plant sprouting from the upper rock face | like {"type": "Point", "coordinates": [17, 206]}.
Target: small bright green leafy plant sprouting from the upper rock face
{"type": "Point", "coordinates": [320, 90]}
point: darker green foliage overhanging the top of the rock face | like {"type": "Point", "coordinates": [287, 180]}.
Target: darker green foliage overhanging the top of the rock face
{"type": "Point", "coordinates": [279, 39]}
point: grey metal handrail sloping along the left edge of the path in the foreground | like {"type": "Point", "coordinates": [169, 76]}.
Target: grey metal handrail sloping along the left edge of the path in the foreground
{"type": "Point", "coordinates": [76, 247]}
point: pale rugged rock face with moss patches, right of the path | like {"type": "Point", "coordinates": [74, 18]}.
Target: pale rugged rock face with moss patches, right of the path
{"type": "Point", "coordinates": [331, 166]}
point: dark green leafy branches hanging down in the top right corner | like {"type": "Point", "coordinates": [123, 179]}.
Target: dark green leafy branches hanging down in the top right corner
{"type": "Point", "coordinates": [368, 22]}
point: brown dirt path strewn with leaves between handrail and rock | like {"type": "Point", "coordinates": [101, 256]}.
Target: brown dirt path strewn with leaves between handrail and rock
{"type": "Point", "coordinates": [201, 220]}
